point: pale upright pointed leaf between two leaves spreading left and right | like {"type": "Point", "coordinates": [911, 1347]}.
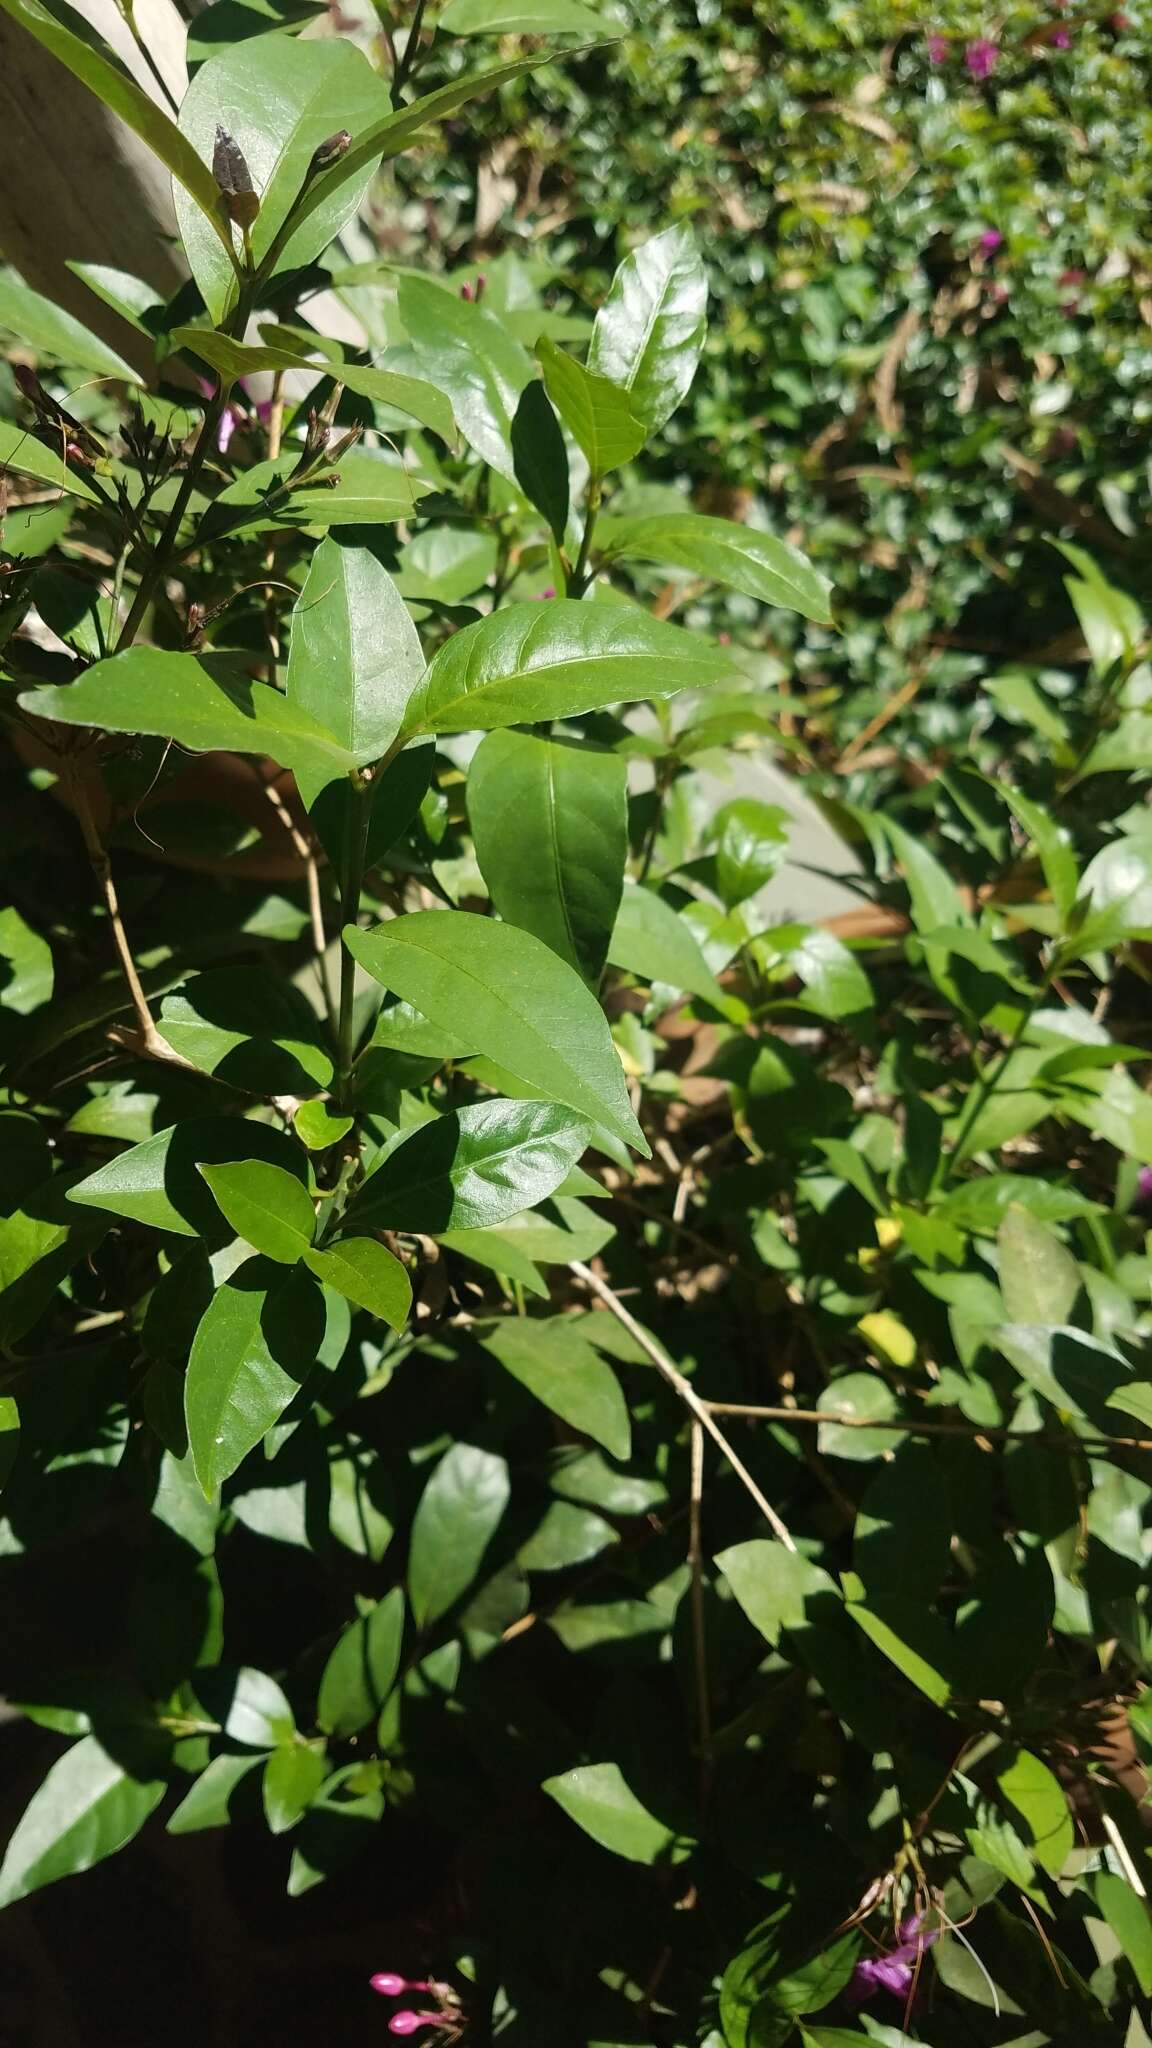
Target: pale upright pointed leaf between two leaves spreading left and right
{"type": "Point", "coordinates": [356, 654]}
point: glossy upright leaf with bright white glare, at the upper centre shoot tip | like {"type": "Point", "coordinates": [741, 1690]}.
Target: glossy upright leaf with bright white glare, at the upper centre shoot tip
{"type": "Point", "coordinates": [651, 329]}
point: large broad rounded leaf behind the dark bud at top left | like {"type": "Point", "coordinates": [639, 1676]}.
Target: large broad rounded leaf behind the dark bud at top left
{"type": "Point", "coordinates": [280, 101]}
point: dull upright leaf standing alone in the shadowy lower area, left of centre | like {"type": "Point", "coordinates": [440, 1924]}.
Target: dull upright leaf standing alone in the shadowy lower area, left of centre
{"type": "Point", "coordinates": [458, 1514]}
